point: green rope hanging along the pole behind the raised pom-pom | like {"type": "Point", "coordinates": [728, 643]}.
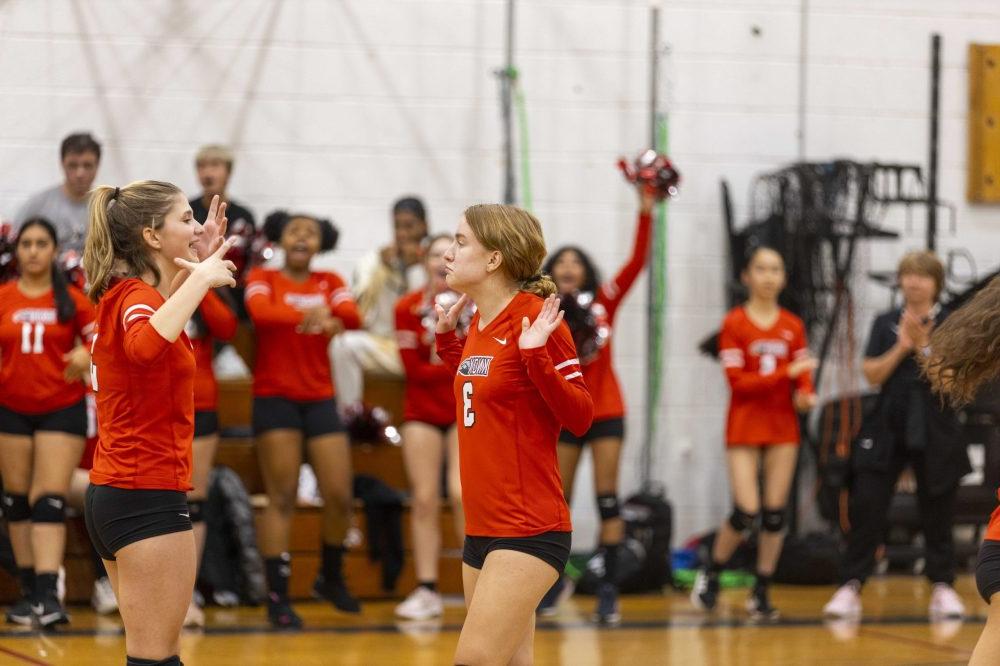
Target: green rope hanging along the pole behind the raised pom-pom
{"type": "Point", "coordinates": [658, 273]}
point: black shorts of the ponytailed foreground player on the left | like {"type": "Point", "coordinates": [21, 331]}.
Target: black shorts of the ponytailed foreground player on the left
{"type": "Point", "coordinates": [117, 517]}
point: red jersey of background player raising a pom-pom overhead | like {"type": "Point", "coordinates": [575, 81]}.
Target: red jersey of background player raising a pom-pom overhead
{"type": "Point", "coordinates": [598, 371]}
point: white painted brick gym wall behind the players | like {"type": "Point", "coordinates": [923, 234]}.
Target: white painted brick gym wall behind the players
{"type": "Point", "coordinates": [340, 107]}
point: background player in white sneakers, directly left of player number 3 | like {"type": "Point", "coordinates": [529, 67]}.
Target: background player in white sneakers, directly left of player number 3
{"type": "Point", "coordinates": [430, 438]}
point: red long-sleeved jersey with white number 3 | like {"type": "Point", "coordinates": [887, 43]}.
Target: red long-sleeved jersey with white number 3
{"type": "Point", "coordinates": [510, 405]}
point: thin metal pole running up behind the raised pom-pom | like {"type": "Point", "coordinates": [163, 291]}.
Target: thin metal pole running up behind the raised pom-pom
{"type": "Point", "coordinates": [651, 310]}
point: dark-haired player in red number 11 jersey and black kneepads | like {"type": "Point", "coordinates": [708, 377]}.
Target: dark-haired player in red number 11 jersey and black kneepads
{"type": "Point", "coordinates": [45, 326]}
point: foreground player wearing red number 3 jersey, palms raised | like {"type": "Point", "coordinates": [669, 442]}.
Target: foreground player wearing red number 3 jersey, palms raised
{"type": "Point", "coordinates": [518, 382]}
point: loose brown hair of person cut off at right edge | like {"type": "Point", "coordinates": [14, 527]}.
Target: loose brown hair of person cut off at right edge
{"type": "Point", "coordinates": [965, 350]}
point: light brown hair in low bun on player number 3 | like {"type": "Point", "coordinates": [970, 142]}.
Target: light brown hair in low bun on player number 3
{"type": "Point", "coordinates": [517, 235]}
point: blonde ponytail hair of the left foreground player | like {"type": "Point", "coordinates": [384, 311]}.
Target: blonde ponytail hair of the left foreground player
{"type": "Point", "coordinates": [115, 246]}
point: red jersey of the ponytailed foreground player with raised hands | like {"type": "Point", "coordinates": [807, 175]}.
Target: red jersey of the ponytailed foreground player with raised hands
{"type": "Point", "coordinates": [145, 394]}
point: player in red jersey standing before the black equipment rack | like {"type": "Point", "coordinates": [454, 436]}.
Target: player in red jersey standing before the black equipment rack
{"type": "Point", "coordinates": [764, 353]}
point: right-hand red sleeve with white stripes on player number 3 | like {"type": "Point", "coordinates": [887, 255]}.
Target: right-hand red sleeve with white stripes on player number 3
{"type": "Point", "coordinates": [555, 371]}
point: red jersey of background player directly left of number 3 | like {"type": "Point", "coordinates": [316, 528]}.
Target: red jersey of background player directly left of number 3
{"type": "Point", "coordinates": [429, 394]}
